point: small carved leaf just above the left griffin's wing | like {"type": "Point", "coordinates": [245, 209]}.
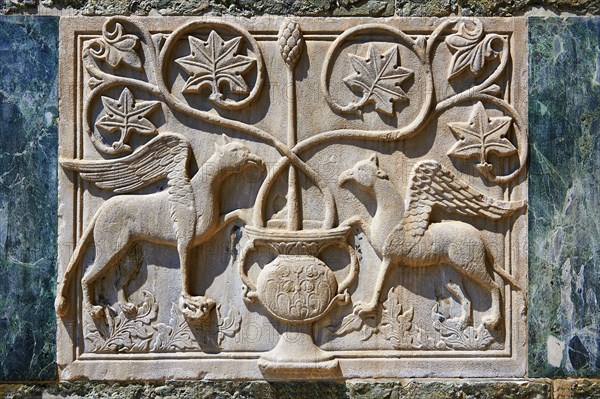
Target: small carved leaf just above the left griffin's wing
{"type": "Point", "coordinates": [126, 115]}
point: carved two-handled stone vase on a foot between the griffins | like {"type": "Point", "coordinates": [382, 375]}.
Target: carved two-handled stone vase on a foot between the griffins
{"type": "Point", "coordinates": [297, 288]}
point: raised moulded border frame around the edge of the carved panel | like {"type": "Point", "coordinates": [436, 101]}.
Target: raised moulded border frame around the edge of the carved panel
{"type": "Point", "coordinates": [243, 365]}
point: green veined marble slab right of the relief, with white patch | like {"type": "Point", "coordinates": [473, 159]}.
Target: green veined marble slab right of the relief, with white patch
{"type": "Point", "coordinates": [564, 192]}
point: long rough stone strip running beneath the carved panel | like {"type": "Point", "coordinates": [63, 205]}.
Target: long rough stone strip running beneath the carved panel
{"type": "Point", "coordinates": [282, 390]}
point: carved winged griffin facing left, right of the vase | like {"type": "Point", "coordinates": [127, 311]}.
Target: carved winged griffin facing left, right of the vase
{"type": "Point", "coordinates": [415, 241]}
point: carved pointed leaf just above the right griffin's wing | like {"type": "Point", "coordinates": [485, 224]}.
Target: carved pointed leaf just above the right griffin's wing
{"type": "Point", "coordinates": [481, 135]}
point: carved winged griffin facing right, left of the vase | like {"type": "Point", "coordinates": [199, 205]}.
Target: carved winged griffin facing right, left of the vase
{"type": "Point", "coordinates": [184, 215]}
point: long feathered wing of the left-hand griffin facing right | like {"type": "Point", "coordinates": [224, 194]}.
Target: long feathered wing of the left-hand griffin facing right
{"type": "Point", "coordinates": [164, 156]}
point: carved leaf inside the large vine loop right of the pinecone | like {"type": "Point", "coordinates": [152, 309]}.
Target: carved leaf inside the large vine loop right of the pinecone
{"type": "Point", "coordinates": [379, 78]}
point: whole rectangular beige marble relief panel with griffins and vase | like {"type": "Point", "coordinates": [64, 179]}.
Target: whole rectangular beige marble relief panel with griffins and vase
{"type": "Point", "coordinates": [275, 198]}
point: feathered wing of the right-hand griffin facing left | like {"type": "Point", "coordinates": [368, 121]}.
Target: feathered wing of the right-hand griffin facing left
{"type": "Point", "coordinates": [431, 184]}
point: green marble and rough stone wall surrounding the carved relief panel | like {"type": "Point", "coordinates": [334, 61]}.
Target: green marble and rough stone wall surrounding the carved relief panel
{"type": "Point", "coordinates": [564, 103]}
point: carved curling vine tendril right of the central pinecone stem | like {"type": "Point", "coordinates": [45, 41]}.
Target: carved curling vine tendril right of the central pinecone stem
{"type": "Point", "coordinates": [491, 46]}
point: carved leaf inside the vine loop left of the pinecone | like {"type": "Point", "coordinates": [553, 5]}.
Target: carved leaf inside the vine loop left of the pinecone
{"type": "Point", "coordinates": [213, 63]}
